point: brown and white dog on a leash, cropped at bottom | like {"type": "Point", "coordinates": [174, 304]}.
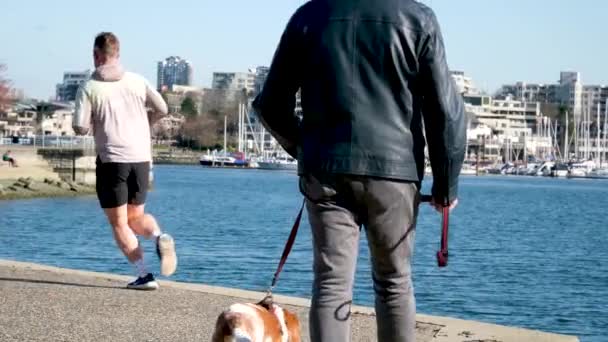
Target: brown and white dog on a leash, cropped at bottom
{"type": "Point", "coordinates": [261, 322]}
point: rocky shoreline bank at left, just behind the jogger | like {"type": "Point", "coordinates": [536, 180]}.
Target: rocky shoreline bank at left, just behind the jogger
{"type": "Point", "coordinates": [23, 188]}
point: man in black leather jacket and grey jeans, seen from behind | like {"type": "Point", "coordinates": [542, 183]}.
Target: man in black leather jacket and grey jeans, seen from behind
{"type": "Point", "coordinates": [374, 84]}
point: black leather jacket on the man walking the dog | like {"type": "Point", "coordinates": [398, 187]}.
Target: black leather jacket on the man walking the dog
{"type": "Point", "coordinates": [374, 82]}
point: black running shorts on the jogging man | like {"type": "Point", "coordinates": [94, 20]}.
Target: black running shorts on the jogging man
{"type": "Point", "coordinates": [121, 183]}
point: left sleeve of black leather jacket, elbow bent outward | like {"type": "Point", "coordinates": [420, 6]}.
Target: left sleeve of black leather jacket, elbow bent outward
{"type": "Point", "coordinates": [275, 105]}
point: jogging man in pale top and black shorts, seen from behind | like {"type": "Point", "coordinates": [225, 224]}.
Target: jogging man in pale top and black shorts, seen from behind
{"type": "Point", "coordinates": [113, 105]}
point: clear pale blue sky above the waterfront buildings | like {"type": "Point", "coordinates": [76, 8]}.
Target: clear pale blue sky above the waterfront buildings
{"type": "Point", "coordinates": [494, 41]}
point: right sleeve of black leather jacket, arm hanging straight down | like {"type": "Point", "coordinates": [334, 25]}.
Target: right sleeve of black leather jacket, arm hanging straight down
{"type": "Point", "coordinates": [444, 117]}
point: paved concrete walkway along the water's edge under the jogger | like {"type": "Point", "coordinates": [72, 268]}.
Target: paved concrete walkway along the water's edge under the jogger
{"type": "Point", "coordinates": [42, 303]}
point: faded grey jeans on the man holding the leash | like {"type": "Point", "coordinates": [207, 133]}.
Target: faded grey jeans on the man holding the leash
{"type": "Point", "coordinates": [337, 207]}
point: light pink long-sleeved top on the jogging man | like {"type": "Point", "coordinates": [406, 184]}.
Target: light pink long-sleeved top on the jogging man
{"type": "Point", "coordinates": [113, 104]}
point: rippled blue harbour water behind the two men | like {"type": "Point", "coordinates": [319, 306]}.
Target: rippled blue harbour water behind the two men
{"type": "Point", "coordinates": [527, 252]}
